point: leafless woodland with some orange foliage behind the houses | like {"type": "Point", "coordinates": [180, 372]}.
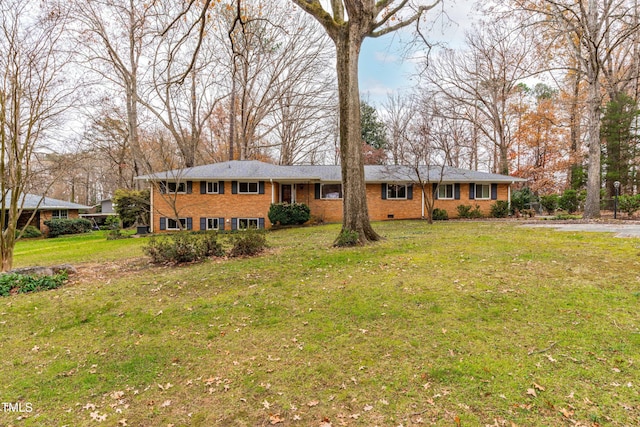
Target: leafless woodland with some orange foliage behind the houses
{"type": "Point", "coordinates": [97, 92]}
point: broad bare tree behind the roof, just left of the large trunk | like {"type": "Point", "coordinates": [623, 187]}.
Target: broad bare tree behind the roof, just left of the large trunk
{"type": "Point", "coordinates": [280, 90]}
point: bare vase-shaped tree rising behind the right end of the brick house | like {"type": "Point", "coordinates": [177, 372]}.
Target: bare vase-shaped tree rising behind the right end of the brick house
{"type": "Point", "coordinates": [485, 79]}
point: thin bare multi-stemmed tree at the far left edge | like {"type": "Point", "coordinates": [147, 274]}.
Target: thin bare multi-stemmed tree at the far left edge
{"type": "Point", "coordinates": [33, 97]}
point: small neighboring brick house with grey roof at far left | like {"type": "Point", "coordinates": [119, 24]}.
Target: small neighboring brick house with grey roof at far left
{"type": "Point", "coordinates": [45, 209]}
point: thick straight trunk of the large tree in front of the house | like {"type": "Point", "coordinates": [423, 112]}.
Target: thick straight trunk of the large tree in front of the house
{"type": "Point", "coordinates": [354, 202]}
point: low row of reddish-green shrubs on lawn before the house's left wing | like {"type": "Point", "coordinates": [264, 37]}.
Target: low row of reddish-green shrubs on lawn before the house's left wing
{"type": "Point", "coordinates": [191, 247]}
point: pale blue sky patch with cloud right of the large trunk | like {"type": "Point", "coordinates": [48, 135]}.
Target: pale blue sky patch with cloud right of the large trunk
{"type": "Point", "coordinates": [385, 68]}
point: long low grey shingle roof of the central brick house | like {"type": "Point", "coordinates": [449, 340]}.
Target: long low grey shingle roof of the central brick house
{"type": "Point", "coordinates": [253, 169]}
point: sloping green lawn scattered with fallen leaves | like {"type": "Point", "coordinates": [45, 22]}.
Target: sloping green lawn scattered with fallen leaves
{"type": "Point", "coordinates": [458, 323]}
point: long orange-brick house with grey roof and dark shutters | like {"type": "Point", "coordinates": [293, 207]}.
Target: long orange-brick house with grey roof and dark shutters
{"type": "Point", "coordinates": [237, 194]}
